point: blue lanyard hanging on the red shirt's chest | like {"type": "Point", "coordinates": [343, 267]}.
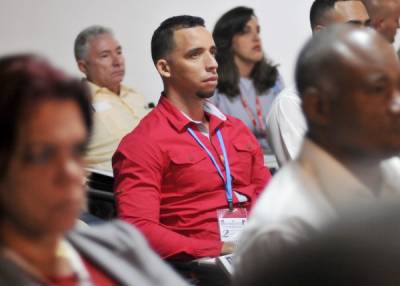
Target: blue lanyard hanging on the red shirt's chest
{"type": "Point", "coordinates": [227, 179]}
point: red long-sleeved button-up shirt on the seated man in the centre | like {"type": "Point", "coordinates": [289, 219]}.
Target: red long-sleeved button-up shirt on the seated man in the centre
{"type": "Point", "coordinates": [167, 186]}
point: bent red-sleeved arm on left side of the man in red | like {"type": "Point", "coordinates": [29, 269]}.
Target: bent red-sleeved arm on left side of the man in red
{"type": "Point", "coordinates": [138, 191]}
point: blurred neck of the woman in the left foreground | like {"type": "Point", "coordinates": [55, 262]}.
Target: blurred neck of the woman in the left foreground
{"type": "Point", "coordinates": [40, 253]}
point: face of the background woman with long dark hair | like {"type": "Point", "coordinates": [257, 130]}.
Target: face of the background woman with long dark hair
{"type": "Point", "coordinates": [247, 44]}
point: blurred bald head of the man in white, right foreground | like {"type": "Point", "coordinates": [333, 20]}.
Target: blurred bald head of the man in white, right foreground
{"type": "Point", "coordinates": [349, 80]}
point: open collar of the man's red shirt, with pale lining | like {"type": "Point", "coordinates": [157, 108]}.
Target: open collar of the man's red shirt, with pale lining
{"type": "Point", "coordinates": [180, 121]}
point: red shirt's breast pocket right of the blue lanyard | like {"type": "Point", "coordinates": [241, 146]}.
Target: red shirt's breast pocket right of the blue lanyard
{"type": "Point", "coordinates": [242, 164]}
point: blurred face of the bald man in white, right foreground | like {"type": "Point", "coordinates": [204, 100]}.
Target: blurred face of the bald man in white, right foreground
{"type": "Point", "coordinates": [367, 112]}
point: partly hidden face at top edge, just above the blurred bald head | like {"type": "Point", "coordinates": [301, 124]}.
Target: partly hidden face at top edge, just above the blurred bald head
{"type": "Point", "coordinates": [349, 12]}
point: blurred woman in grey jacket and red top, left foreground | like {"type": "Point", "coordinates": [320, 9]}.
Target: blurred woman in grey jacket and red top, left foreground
{"type": "Point", "coordinates": [45, 120]}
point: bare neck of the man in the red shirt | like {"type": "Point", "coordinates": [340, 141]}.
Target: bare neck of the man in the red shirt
{"type": "Point", "coordinates": [191, 105]}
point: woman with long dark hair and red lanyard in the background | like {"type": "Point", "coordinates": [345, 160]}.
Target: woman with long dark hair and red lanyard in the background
{"type": "Point", "coordinates": [248, 82]}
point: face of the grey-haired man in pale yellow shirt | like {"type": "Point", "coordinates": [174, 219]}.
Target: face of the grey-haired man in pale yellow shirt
{"type": "Point", "coordinates": [104, 64]}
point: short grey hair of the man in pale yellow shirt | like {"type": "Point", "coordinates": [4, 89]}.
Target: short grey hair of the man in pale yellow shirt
{"type": "Point", "coordinates": [84, 37]}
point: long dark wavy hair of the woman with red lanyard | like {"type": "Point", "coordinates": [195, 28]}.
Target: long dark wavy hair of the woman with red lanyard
{"type": "Point", "coordinates": [264, 73]}
